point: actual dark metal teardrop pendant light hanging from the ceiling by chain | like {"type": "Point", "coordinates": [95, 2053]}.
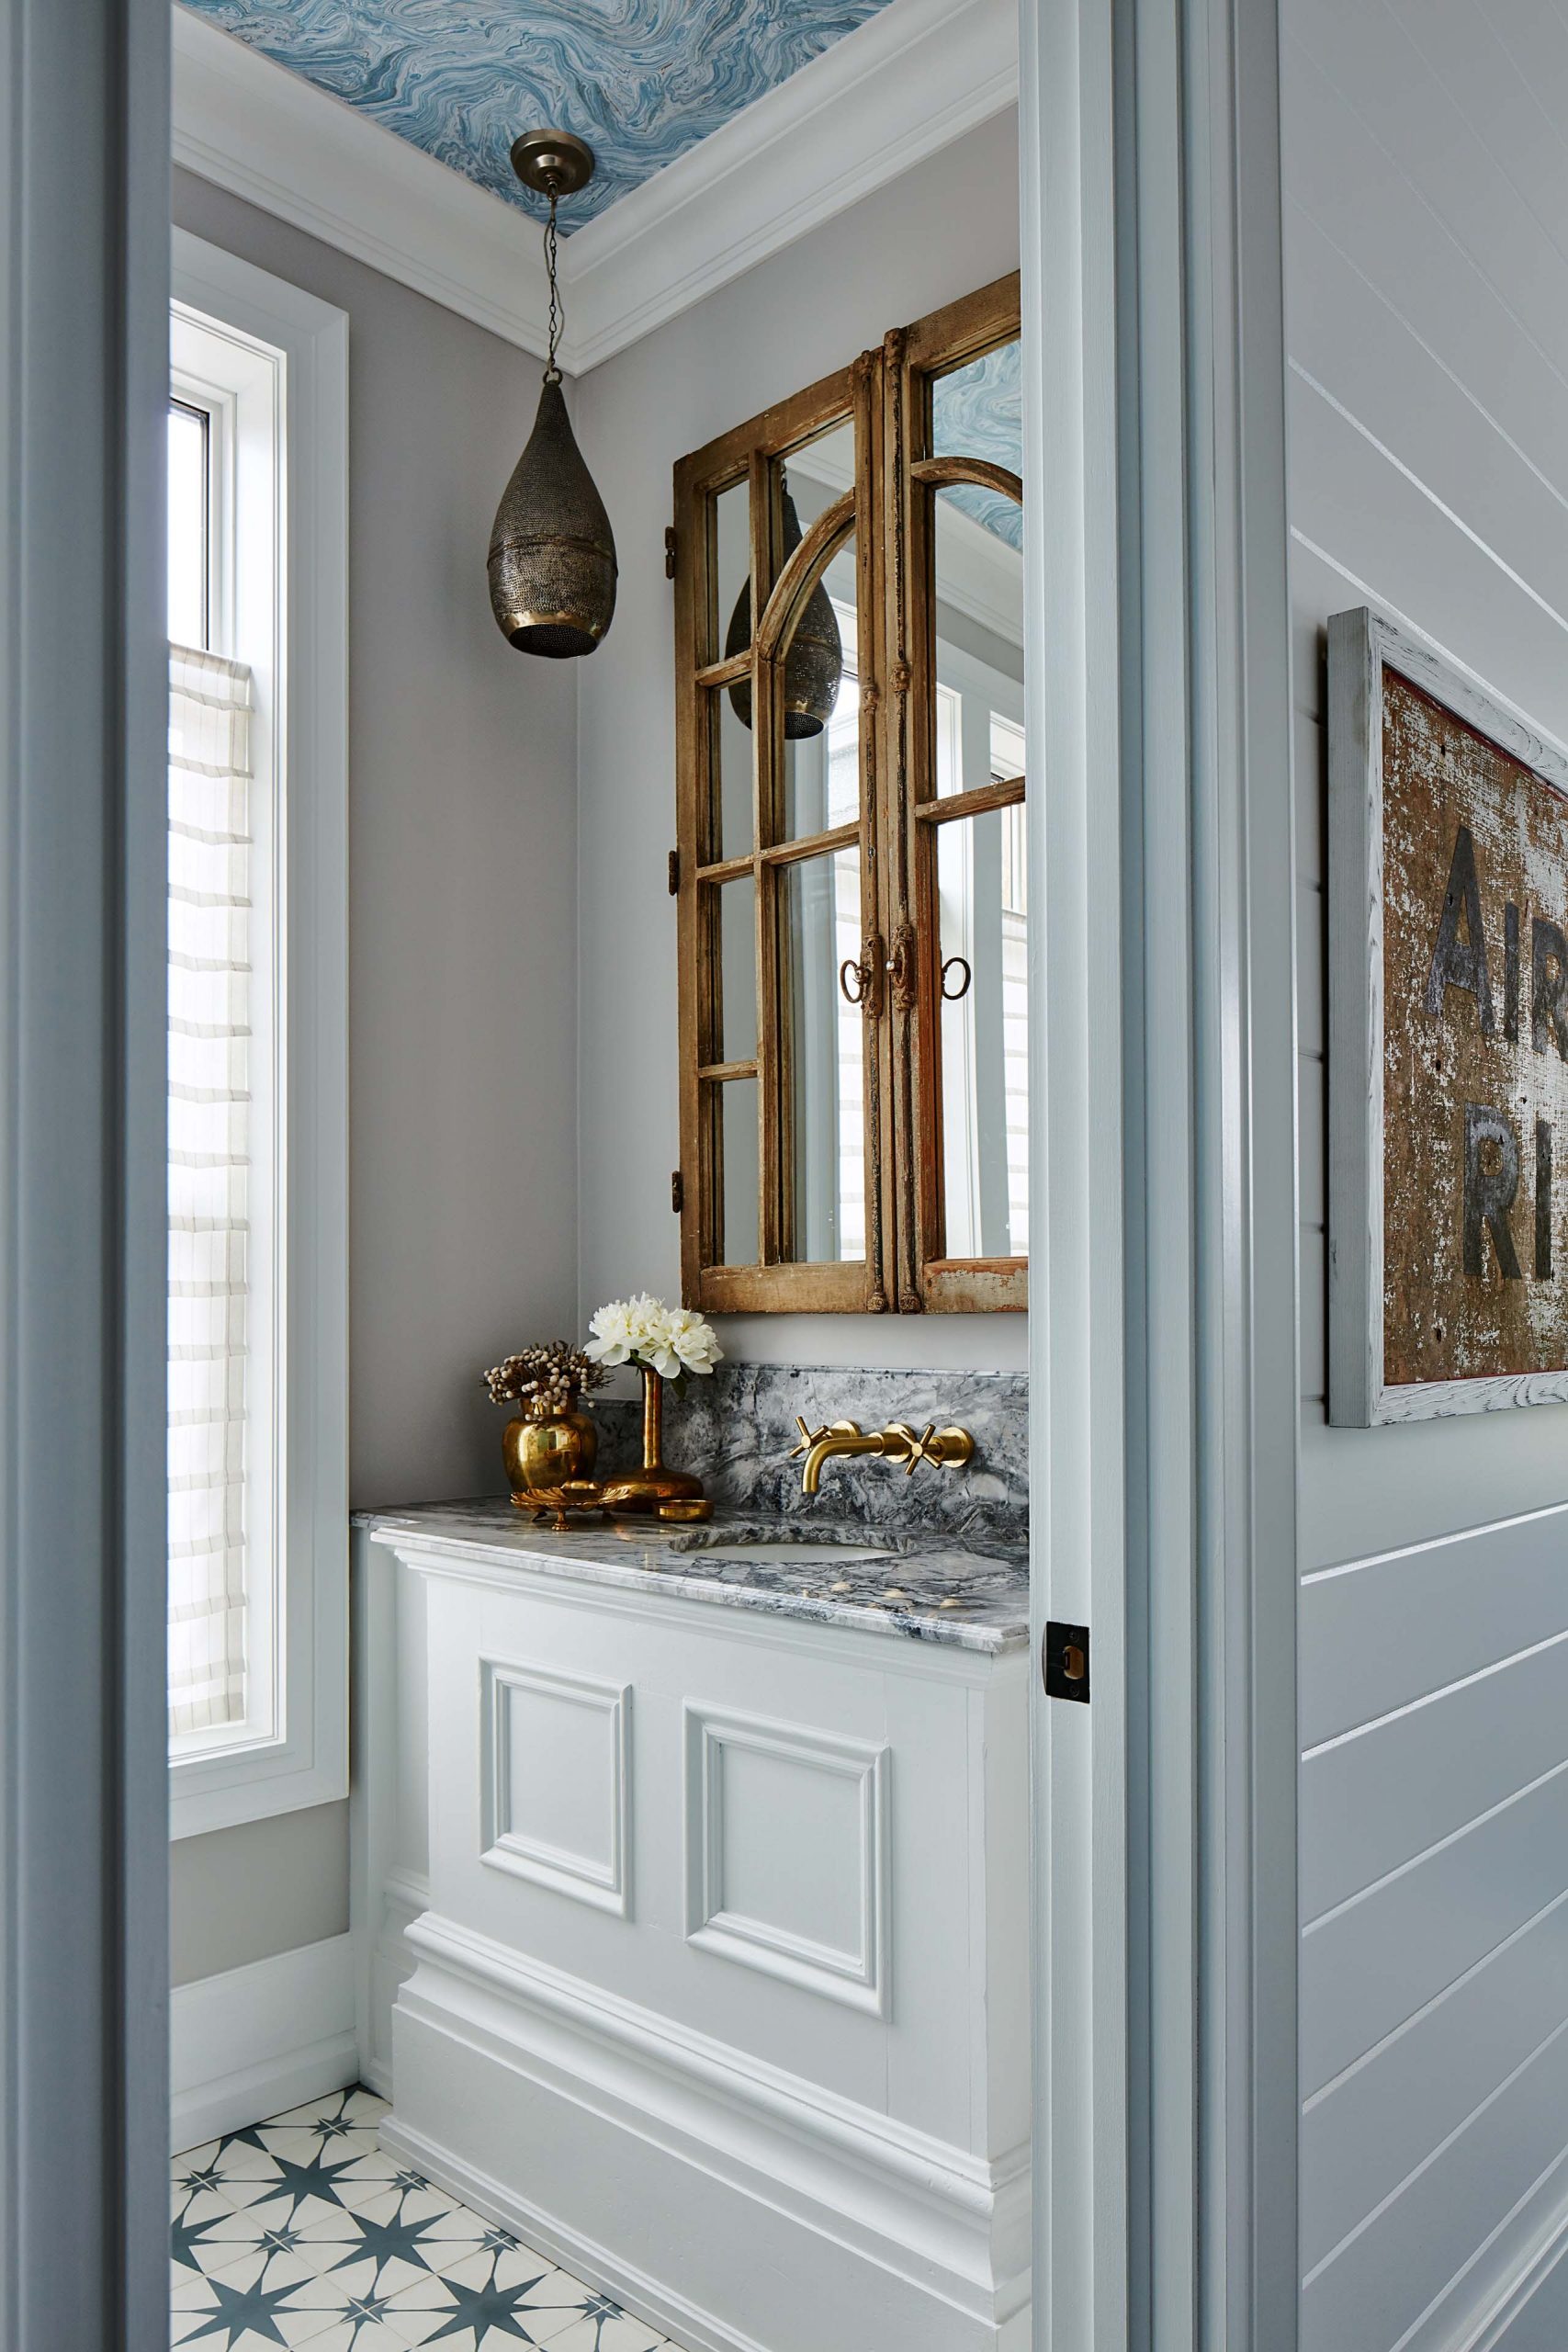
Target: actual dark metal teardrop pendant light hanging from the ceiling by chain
{"type": "Point", "coordinates": [551, 549]}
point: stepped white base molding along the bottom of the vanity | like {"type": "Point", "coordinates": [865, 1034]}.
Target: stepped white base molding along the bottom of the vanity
{"type": "Point", "coordinates": [692, 2179]}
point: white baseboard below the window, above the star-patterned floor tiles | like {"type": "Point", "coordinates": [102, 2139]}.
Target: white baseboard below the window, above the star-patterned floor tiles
{"type": "Point", "coordinates": [260, 2040]}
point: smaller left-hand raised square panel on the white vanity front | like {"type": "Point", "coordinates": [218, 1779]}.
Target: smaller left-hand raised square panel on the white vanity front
{"type": "Point", "coordinates": [596, 1873]}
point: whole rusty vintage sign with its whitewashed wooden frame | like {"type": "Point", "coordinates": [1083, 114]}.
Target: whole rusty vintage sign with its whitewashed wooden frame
{"type": "Point", "coordinates": [1447, 1038]}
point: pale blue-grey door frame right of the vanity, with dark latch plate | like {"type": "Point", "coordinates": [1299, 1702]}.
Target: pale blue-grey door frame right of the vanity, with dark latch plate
{"type": "Point", "coordinates": [1165, 1342]}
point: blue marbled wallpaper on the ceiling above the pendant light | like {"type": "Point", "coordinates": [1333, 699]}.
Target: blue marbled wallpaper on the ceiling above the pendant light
{"type": "Point", "coordinates": [643, 81]}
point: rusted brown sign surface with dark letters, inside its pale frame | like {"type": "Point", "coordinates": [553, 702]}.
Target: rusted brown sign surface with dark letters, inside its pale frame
{"type": "Point", "coordinates": [1475, 1041]}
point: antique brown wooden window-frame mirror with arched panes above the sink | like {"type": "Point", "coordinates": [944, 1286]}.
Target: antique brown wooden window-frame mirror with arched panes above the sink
{"type": "Point", "coordinates": [852, 836]}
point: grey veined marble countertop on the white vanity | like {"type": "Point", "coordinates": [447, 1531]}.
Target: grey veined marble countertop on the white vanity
{"type": "Point", "coordinates": [923, 1586]}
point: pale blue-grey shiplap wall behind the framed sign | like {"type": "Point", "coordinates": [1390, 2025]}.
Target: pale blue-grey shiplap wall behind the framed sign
{"type": "Point", "coordinates": [1428, 338]}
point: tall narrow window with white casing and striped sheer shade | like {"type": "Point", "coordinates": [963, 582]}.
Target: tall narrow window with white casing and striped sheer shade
{"type": "Point", "coordinates": [257, 1045]}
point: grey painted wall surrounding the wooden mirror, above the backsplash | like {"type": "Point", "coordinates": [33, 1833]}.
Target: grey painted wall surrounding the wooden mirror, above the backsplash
{"type": "Point", "coordinates": [942, 232]}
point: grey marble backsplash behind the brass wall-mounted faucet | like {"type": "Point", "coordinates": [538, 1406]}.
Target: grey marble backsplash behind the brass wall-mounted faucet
{"type": "Point", "coordinates": [737, 1431]}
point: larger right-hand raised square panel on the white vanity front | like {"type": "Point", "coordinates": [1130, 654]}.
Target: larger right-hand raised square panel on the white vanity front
{"type": "Point", "coordinates": [739, 1831]}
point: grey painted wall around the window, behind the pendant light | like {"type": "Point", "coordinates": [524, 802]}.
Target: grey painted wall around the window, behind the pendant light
{"type": "Point", "coordinates": [462, 878]}
